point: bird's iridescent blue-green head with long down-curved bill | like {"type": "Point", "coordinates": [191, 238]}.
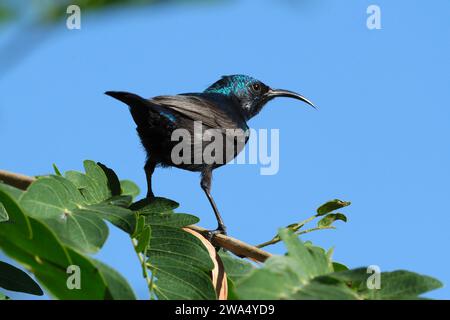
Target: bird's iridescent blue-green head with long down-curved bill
{"type": "Point", "coordinates": [249, 93]}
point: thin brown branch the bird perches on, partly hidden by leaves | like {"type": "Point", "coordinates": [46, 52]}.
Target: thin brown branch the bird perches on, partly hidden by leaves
{"type": "Point", "coordinates": [236, 246]}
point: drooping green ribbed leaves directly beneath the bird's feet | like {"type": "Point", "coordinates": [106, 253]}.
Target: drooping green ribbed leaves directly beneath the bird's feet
{"type": "Point", "coordinates": [178, 261]}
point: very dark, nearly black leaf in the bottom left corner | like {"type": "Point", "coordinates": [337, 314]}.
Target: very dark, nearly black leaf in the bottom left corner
{"type": "Point", "coordinates": [14, 279]}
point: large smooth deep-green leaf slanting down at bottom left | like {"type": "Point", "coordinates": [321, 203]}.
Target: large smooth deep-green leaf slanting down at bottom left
{"type": "Point", "coordinates": [42, 253]}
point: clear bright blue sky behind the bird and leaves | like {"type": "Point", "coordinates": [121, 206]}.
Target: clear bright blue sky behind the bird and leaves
{"type": "Point", "coordinates": [379, 139]}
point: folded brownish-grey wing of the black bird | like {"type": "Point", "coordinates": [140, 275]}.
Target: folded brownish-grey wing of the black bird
{"type": "Point", "coordinates": [198, 108]}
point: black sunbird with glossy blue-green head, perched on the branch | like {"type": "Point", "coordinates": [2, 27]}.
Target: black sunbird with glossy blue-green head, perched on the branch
{"type": "Point", "coordinates": [223, 109]}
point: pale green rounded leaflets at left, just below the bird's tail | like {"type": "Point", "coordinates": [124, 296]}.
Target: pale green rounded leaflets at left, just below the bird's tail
{"type": "Point", "coordinates": [74, 207]}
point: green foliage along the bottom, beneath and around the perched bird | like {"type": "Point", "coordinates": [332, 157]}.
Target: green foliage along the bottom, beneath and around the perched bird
{"type": "Point", "coordinates": [60, 221]}
